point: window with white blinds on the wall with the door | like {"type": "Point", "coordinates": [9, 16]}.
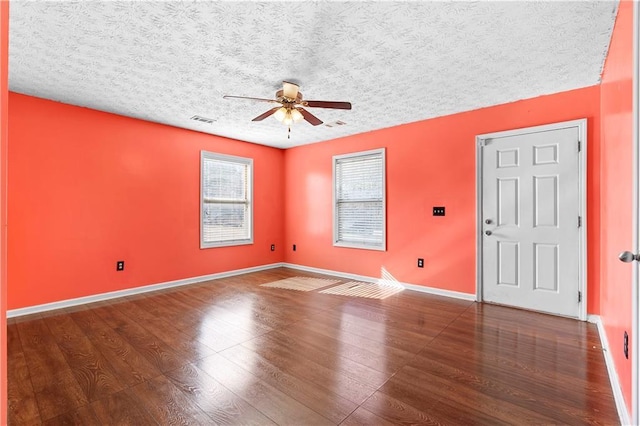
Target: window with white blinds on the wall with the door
{"type": "Point", "coordinates": [359, 200]}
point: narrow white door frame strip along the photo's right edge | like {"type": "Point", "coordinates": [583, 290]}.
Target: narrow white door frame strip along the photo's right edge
{"type": "Point", "coordinates": [635, 282]}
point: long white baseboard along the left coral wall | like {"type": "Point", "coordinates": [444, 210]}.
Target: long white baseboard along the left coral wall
{"type": "Point", "coordinates": [132, 291]}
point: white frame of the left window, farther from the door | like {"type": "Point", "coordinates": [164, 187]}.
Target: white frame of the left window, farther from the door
{"type": "Point", "coordinates": [206, 155]}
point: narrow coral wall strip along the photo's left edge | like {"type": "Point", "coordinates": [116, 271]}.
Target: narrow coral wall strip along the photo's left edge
{"type": "Point", "coordinates": [4, 93]}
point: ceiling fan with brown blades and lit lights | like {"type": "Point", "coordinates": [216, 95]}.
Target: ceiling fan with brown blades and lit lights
{"type": "Point", "coordinates": [291, 106]}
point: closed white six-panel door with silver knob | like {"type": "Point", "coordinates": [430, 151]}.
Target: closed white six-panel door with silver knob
{"type": "Point", "coordinates": [531, 212]}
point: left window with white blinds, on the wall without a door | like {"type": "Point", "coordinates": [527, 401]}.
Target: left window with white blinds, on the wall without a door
{"type": "Point", "coordinates": [226, 213]}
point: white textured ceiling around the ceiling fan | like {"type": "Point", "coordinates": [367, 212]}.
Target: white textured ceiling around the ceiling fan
{"type": "Point", "coordinates": [396, 62]}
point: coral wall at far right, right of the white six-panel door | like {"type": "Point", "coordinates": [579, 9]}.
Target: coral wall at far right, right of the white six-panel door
{"type": "Point", "coordinates": [616, 189]}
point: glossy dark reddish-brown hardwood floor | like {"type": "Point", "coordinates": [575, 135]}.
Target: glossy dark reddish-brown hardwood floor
{"type": "Point", "coordinates": [231, 352]}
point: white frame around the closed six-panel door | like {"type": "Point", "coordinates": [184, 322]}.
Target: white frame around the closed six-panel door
{"type": "Point", "coordinates": [582, 172]}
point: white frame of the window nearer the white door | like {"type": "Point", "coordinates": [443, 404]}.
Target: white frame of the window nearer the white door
{"type": "Point", "coordinates": [360, 245]}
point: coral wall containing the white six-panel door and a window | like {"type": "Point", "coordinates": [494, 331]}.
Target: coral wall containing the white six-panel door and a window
{"type": "Point", "coordinates": [429, 163]}
